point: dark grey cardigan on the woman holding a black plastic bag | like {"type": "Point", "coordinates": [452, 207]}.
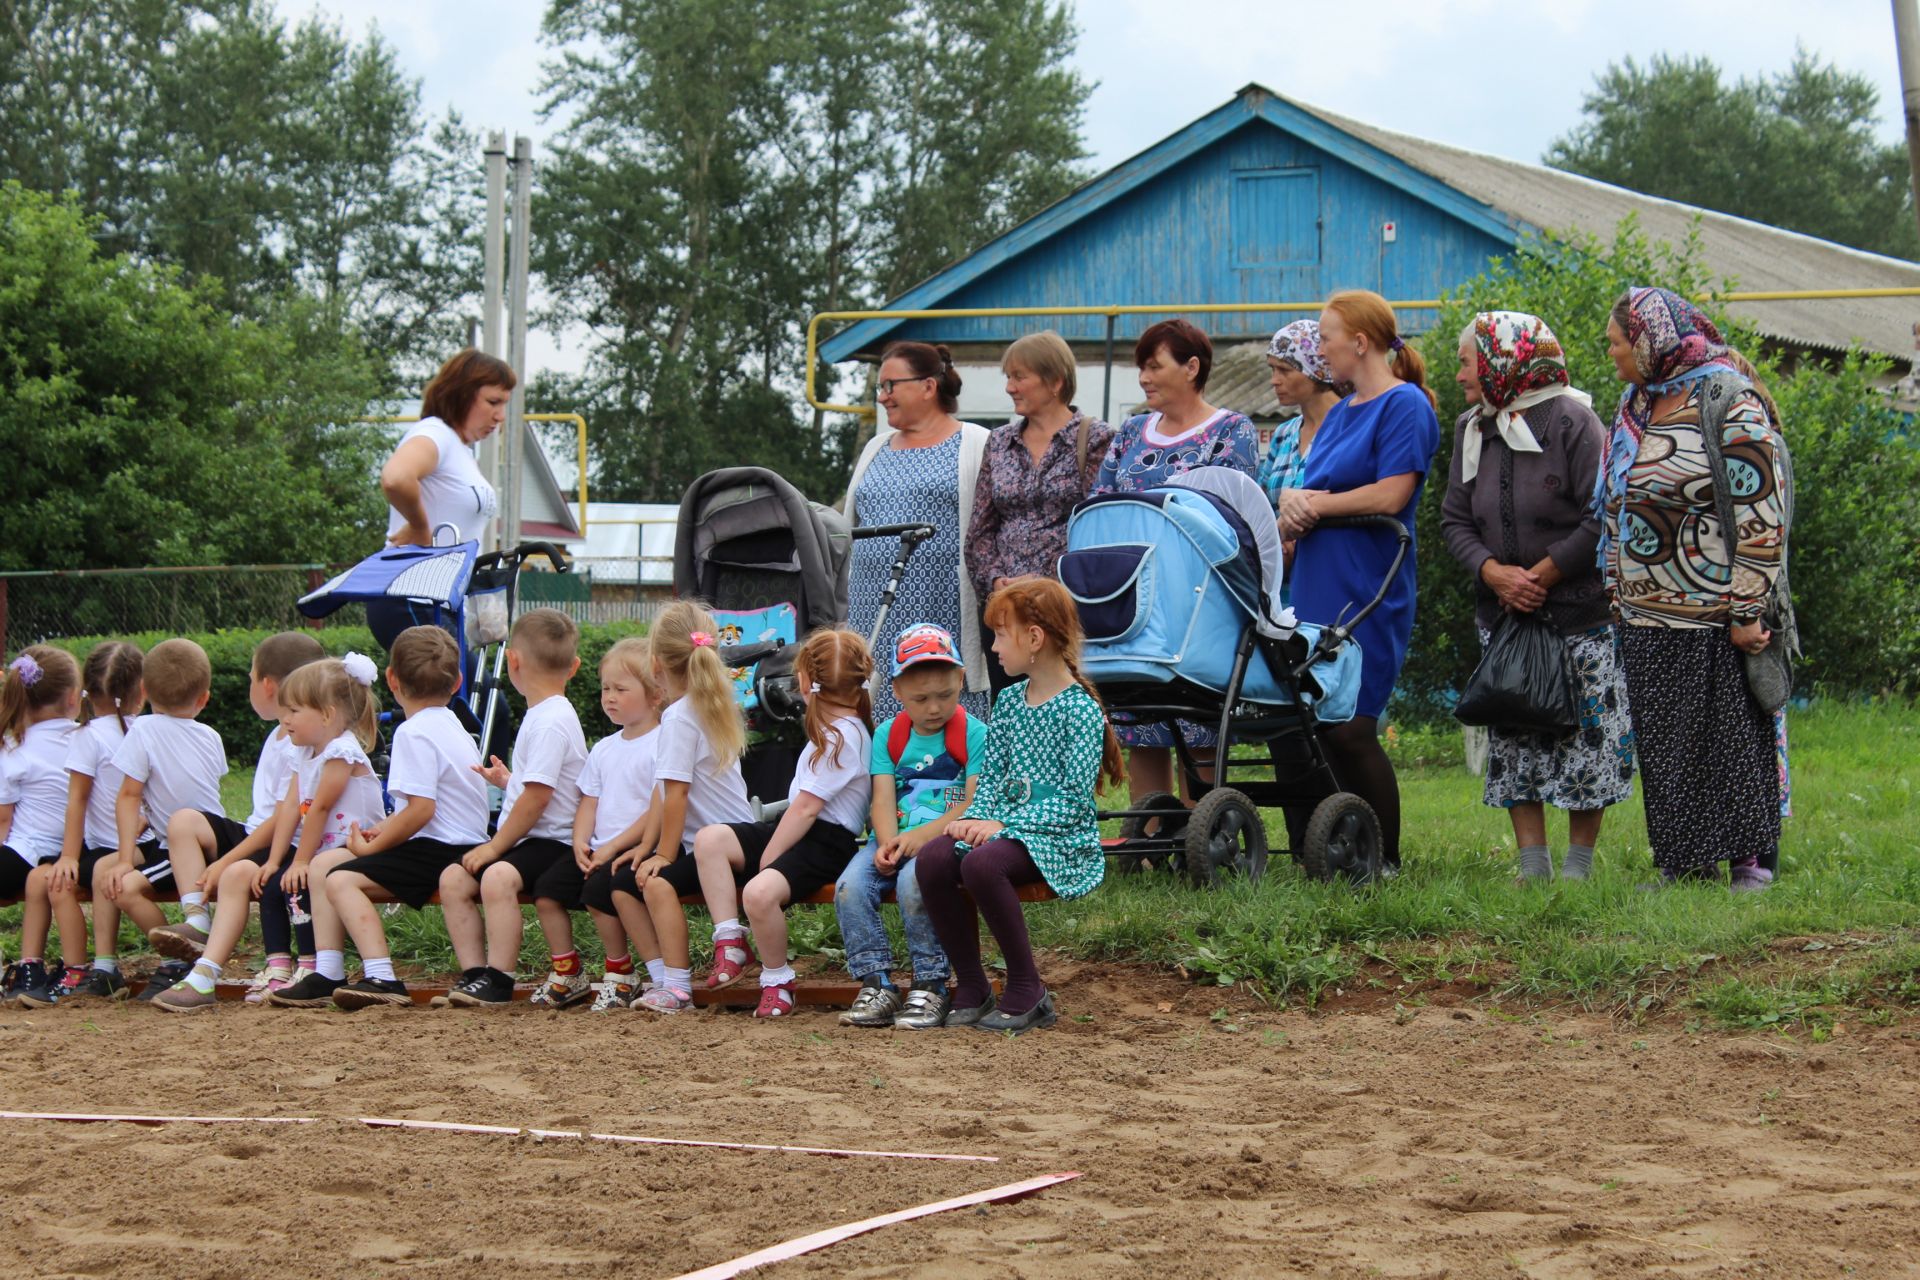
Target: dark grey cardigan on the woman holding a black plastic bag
{"type": "Point", "coordinates": [1525, 508]}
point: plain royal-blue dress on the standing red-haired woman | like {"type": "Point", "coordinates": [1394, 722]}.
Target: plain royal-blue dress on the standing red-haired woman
{"type": "Point", "coordinates": [1393, 435]}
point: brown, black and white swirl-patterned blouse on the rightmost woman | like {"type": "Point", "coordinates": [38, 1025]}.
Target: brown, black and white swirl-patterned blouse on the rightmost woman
{"type": "Point", "coordinates": [1669, 554]}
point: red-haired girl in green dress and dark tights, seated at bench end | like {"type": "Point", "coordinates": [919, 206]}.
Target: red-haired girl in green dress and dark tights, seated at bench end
{"type": "Point", "coordinates": [1032, 818]}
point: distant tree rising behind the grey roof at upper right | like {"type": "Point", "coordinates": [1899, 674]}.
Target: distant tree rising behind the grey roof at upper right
{"type": "Point", "coordinates": [1794, 151]}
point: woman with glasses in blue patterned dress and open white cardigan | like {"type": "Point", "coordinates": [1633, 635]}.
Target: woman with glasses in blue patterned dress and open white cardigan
{"type": "Point", "coordinates": [919, 469]}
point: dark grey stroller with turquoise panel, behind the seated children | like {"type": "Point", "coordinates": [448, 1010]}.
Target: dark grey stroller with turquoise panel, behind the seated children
{"type": "Point", "coordinates": [773, 567]}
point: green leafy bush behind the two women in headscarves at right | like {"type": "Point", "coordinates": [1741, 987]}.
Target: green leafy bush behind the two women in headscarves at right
{"type": "Point", "coordinates": [1856, 540]}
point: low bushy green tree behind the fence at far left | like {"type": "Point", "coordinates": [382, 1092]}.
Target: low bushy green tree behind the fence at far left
{"type": "Point", "coordinates": [145, 425]}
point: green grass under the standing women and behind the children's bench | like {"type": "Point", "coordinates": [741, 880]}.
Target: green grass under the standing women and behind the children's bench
{"type": "Point", "coordinates": [1838, 934]}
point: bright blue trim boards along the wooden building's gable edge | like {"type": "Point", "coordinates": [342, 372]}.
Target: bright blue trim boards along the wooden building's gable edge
{"type": "Point", "coordinates": [1251, 105]}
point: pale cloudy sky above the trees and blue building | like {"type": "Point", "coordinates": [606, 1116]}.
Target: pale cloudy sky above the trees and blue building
{"type": "Point", "coordinates": [1489, 76]}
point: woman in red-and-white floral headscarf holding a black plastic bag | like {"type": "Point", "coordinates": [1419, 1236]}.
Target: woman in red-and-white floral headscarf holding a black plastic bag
{"type": "Point", "coordinates": [1520, 517]}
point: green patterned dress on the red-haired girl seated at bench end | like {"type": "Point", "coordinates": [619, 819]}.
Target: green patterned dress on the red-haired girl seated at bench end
{"type": "Point", "coordinates": [1038, 776]}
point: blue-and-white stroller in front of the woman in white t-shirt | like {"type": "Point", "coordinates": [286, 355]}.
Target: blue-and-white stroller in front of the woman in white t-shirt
{"type": "Point", "coordinates": [469, 594]}
